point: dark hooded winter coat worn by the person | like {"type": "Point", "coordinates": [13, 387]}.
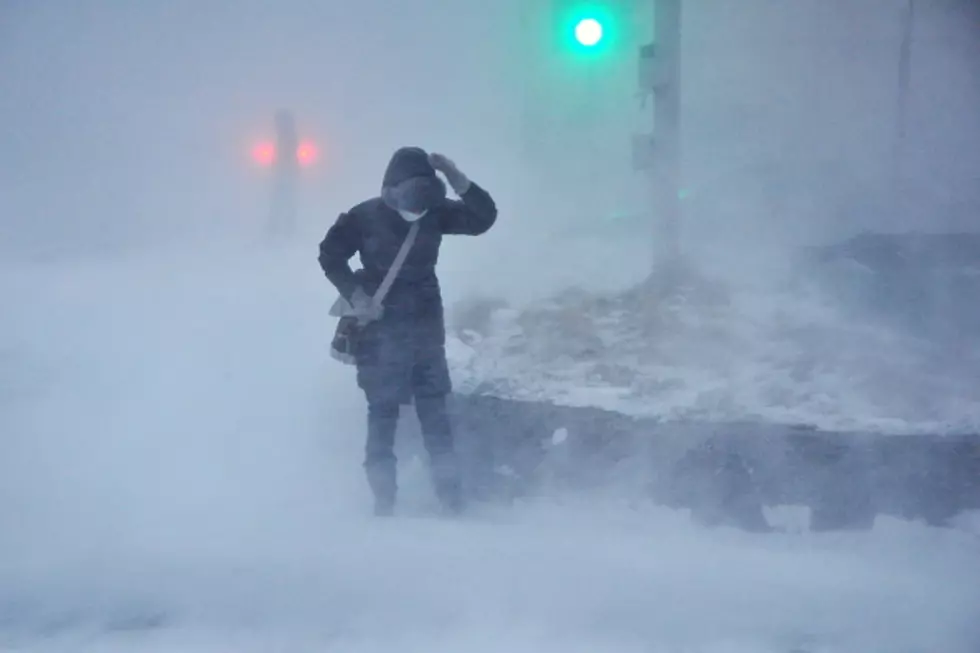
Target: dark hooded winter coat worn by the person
{"type": "Point", "coordinates": [404, 351]}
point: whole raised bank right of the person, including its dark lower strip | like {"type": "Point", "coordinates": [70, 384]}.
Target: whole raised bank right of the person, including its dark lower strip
{"type": "Point", "coordinates": [826, 390]}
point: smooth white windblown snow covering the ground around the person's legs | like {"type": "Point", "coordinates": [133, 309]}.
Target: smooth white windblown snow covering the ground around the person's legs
{"type": "Point", "coordinates": [179, 471]}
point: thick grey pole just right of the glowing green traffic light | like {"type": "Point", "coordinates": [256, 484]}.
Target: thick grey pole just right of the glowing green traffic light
{"type": "Point", "coordinates": [659, 153]}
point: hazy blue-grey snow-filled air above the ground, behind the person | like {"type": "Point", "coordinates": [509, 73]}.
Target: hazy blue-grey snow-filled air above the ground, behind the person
{"type": "Point", "coordinates": [126, 123]}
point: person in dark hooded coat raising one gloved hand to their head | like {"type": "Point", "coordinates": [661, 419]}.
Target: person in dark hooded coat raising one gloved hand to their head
{"type": "Point", "coordinates": [399, 350]}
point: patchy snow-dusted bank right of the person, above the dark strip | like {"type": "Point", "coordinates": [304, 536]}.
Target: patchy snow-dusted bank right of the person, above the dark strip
{"type": "Point", "coordinates": [723, 349]}
